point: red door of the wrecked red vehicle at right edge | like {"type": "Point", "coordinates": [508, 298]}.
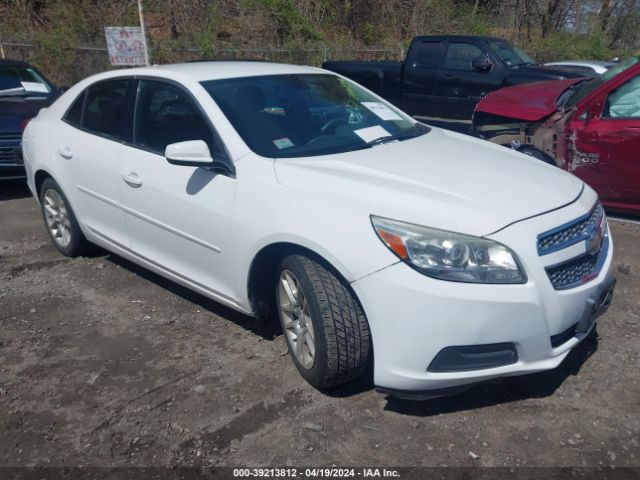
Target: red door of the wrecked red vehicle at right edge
{"type": "Point", "coordinates": [606, 153]}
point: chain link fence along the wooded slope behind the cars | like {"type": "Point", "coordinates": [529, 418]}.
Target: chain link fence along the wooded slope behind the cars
{"type": "Point", "coordinates": [80, 62]}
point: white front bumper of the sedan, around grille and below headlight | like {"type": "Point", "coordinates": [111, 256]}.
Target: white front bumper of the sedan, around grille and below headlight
{"type": "Point", "coordinates": [414, 317]}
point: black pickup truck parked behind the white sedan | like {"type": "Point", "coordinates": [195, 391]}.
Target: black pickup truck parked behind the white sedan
{"type": "Point", "coordinates": [445, 76]}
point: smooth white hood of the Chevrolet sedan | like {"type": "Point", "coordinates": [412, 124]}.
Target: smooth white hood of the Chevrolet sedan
{"type": "Point", "coordinates": [442, 179]}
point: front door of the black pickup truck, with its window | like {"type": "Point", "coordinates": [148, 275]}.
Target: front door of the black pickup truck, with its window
{"type": "Point", "coordinates": [460, 87]}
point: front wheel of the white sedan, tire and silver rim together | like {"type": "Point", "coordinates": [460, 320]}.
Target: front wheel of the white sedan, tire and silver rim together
{"type": "Point", "coordinates": [326, 330]}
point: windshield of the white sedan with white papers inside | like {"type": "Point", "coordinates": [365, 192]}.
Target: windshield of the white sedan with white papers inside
{"type": "Point", "coordinates": [302, 115]}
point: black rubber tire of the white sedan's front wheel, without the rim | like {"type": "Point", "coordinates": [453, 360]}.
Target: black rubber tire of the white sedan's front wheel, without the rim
{"type": "Point", "coordinates": [342, 338]}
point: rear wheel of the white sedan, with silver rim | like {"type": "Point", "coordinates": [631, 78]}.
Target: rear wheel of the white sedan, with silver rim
{"type": "Point", "coordinates": [60, 220]}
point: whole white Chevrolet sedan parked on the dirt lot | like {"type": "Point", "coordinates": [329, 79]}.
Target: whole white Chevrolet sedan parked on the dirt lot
{"type": "Point", "coordinates": [290, 191]}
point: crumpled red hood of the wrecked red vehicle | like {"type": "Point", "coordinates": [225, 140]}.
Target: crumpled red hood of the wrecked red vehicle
{"type": "Point", "coordinates": [531, 101]}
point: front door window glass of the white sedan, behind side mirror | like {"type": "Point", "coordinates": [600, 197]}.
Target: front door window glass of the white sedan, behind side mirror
{"type": "Point", "coordinates": [166, 114]}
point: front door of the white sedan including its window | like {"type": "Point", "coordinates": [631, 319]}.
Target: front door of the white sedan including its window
{"type": "Point", "coordinates": [179, 217]}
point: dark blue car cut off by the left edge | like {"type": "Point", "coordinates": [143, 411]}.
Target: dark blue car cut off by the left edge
{"type": "Point", "coordinates": [23, 92]}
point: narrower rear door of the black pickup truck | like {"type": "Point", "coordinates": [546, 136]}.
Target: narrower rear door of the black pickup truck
{"type": "Point", "coordinates": [420, 75]}
